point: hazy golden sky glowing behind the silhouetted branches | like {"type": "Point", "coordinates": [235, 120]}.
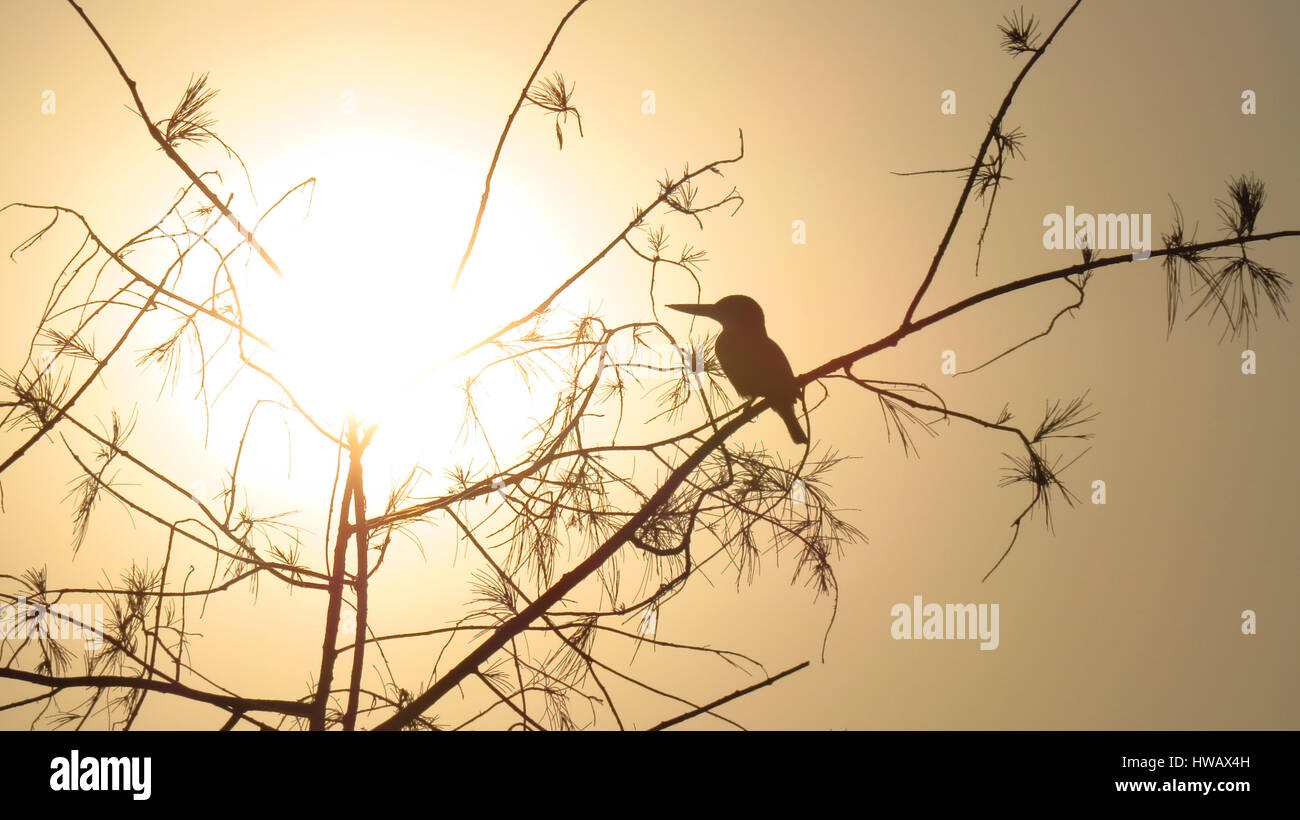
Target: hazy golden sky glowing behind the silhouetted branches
{"type": "Point", "coordinates": [1128, 617]}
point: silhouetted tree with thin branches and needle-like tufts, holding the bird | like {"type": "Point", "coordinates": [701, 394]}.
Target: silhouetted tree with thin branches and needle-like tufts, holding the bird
{"type": "Point", "coordinates": [603, 517]}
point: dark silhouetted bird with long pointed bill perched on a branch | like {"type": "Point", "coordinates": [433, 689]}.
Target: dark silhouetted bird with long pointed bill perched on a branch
{"type": "Point", "coordinates": [753, 362]}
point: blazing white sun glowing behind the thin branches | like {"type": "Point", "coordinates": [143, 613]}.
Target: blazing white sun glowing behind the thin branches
{"type": "Point", "coordinates": [366, 314]}
